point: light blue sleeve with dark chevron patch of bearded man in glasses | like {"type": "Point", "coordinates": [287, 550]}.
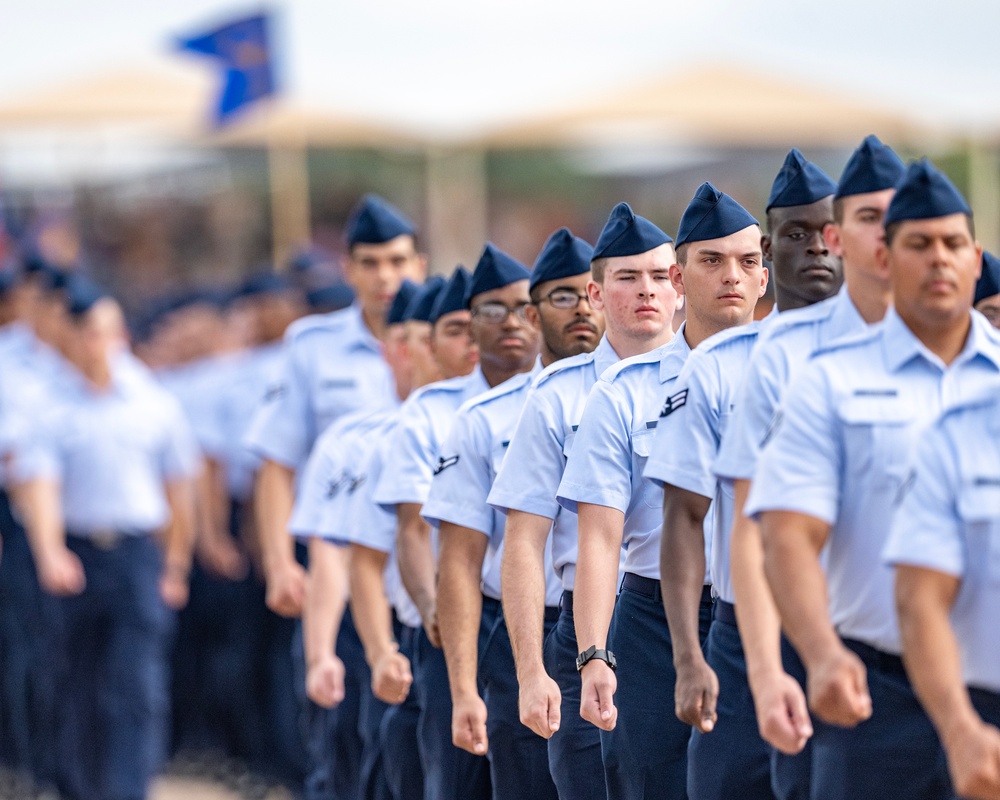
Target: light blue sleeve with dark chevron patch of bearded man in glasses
{"type": "Point", "coordinates": [462, 479]}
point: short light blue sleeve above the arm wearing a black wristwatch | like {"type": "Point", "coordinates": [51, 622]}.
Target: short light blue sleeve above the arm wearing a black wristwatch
{"type": "Point", "coordinates": [599, 467]}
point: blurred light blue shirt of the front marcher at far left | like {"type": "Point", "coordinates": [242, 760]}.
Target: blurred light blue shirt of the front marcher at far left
{"type": "Point", "coordinates": [111, 452]}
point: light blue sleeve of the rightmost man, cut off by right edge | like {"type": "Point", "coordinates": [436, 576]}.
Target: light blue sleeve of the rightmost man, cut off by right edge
{"type": "Point", "coordinates": [927, 527]}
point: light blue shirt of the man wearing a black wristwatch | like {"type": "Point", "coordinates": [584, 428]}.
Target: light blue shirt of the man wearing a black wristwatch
{"type": "Point", "coordinates": [613, 443]}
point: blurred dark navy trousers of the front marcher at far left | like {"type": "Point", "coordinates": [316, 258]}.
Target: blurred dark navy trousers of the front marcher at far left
{"type": "Point", "coordinates": [114, 698]}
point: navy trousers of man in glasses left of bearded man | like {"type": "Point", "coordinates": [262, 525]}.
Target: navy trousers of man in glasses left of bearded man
{"type": "Point", "coordinates": [450, 773]}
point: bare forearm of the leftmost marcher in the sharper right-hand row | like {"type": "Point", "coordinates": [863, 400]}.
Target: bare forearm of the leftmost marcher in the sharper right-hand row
{"type": "Point", "coordinates": [325, 598]}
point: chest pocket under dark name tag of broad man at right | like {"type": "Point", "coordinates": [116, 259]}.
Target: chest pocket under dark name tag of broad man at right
{"type": "Point", "coordinates": [878, 436]}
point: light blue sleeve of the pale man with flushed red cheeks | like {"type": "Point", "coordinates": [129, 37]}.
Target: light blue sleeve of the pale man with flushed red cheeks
{"type": "Point", "coordinates": [529, 478]}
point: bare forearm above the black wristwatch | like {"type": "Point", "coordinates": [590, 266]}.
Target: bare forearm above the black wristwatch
{"type": "Point", "coordinates": [600, 542]}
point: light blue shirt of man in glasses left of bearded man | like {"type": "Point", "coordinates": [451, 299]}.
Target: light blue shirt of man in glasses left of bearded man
{"type": "Point", "coordinates": [418, 441]}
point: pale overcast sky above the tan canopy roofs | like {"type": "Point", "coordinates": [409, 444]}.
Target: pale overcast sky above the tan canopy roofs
{"type": "Point", "coordinates": [458, 64]}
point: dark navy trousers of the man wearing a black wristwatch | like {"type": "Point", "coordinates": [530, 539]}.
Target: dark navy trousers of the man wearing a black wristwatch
{"type": "Point", "coordinates": [645, 756]}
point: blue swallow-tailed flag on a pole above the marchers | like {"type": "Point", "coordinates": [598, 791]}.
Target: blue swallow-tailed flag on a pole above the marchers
{"type": "Point", "coordinates": [243, 51]}
